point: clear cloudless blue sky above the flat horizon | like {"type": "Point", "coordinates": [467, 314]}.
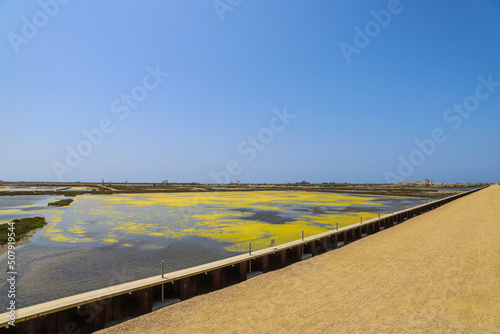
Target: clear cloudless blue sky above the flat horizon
{"type": "Point", "coordinates": [260, 91]}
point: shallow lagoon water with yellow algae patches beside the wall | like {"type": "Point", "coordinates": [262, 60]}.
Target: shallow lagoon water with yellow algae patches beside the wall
{"type": "Point", "coordinates": [103, 240]}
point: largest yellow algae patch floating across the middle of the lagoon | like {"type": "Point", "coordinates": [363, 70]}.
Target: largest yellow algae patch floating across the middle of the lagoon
{"type": "Point", "coordinates": [220, 216]}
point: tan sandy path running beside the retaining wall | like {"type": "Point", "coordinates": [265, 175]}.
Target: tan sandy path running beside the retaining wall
{"type": "Point", "coordinates": [436, 273]}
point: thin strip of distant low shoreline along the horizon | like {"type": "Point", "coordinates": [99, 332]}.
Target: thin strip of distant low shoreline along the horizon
{"type": "Point", "coordinates": [409, 189]}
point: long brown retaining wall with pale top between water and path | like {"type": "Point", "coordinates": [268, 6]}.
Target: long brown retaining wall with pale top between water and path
{"type": "Point", "coordinates": [91, 311]}
